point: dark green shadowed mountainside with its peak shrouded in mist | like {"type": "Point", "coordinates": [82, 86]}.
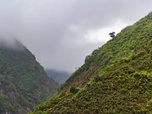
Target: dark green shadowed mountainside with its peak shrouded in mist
{"type": "Point", "coordinates": [23, 81]}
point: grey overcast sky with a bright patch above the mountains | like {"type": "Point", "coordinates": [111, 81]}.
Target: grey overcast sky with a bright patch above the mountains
{"type": "Point", "coordinates": [61, 33]}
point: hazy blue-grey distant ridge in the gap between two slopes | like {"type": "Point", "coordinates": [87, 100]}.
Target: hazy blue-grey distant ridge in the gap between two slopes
{"type": "Point", "coordinates": [58, 76]}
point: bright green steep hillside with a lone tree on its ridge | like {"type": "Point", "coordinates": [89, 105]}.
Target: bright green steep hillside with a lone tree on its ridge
{"type": "Point", "coordinates": [116, 78]}
